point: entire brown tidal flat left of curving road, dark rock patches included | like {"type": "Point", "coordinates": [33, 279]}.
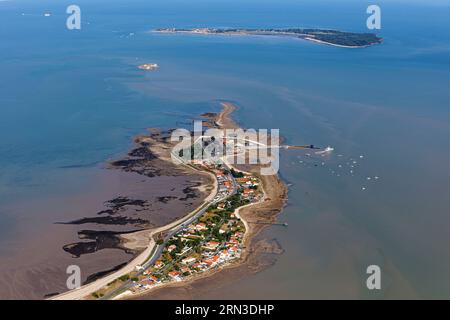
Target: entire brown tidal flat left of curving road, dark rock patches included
{"type": "Point", "coordinates": [90, 229]}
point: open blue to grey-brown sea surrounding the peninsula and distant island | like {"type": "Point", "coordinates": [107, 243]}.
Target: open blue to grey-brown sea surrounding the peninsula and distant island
{"type": "Point", "coordinates": [69, 100]}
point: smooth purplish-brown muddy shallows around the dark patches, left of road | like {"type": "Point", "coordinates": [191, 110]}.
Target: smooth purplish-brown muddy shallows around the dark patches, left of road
{"type": "Point", "coordinates": [34, 261]}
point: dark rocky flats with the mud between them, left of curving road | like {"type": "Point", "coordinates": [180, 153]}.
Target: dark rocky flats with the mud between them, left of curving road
{"type": "Point", "coordinates": [150, 161]}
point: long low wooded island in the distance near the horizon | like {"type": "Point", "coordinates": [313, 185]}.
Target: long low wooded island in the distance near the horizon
{"type": "Point", "coordinates": [329, 37]}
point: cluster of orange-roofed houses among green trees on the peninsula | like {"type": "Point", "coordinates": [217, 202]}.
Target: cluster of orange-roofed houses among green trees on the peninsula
{"type": "Point", "coordinates": [196, 248]}
